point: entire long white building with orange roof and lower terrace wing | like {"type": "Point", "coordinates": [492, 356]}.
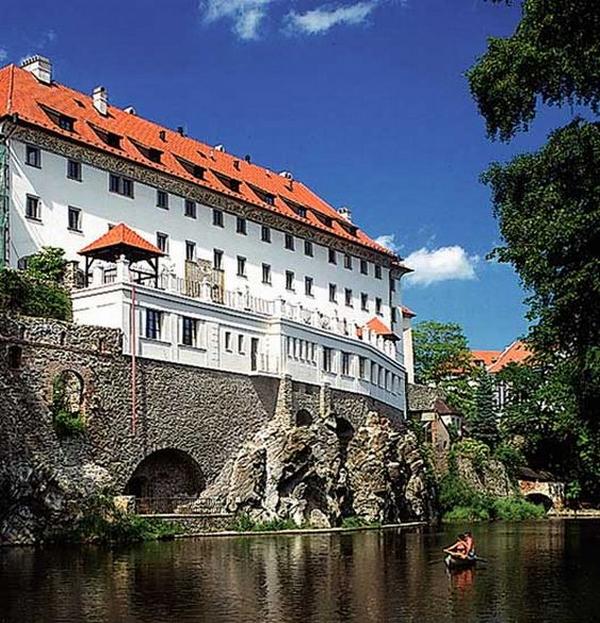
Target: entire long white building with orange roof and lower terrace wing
{"type": "Point", "coordinates": [258, 275]}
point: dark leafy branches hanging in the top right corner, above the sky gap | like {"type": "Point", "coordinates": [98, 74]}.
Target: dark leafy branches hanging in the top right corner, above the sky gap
{"type": "Point", "coordinates": [553, 56]}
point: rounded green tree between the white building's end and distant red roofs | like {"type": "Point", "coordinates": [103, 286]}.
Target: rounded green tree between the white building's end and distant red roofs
{"type": "Point", "coordinates": [440, 350]}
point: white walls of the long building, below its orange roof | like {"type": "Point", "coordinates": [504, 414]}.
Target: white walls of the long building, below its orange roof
{"type": "Point", "coordinates": [262, 327]}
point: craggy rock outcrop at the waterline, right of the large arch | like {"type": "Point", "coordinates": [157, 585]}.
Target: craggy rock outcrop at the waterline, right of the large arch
{"type": "Point", "coordinates": [316, 474]}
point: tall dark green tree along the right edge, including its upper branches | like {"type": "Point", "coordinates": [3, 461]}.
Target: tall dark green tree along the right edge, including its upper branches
{"type": "Point", "coordinates": [548, 206]}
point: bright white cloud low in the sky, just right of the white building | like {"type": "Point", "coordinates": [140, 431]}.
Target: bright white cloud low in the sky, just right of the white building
{"type": "Point", "coordinates": [443, 264]}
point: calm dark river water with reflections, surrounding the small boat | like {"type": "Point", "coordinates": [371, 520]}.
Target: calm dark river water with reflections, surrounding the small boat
{"type": "Point", "coordinates": [547, 571]}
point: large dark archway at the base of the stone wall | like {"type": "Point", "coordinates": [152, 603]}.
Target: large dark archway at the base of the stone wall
{"type": "Point", "coordinates": [164, 480]}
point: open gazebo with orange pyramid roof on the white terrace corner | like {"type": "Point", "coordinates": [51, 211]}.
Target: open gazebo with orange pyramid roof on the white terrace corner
{"type": "Point", "coordinates": [119, 241]}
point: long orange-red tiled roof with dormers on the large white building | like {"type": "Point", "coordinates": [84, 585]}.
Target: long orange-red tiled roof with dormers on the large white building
{"type": "Point", "coordinates": [35, 103]}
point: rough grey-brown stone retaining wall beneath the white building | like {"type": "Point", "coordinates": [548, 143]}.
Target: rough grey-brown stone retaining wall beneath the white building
{"type": "Point", "coordinates": [202, 416]}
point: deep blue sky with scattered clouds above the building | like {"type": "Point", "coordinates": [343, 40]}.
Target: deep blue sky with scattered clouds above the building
{"type": "Point", "coordinates": [365, 101]}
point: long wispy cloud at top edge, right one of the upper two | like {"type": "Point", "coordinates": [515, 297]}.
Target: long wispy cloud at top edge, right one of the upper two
{"type": "Point", "coordinates": [318, 21]}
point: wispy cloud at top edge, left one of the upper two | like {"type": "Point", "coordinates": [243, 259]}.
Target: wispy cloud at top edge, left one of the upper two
{"type": "Point", "coordinates": [246, 15]}
